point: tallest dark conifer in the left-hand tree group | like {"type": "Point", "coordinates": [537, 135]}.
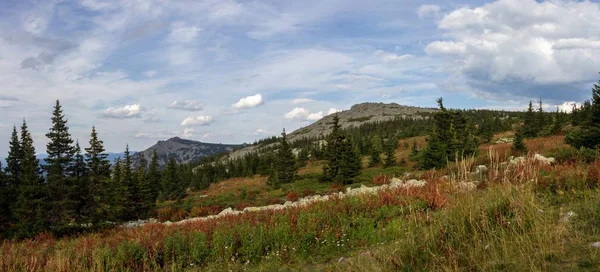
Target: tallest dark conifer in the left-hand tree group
{"type": "Point", "coordinates": [59, 161]}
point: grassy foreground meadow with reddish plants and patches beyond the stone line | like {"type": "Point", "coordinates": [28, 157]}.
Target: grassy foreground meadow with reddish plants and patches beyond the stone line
{"type": "Point", "coordinates": [514, 222]}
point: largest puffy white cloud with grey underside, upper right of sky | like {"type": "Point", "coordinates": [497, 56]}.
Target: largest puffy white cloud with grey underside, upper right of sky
{"type": "Point", "coordinates": [523, 47]}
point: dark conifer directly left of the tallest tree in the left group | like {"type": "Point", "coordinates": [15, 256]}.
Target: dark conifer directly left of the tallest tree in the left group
{"type": "Point", "coordinates": [30, 208]}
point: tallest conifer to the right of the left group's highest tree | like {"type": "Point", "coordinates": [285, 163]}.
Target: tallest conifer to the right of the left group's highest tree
{"type": "Point", "coordinates": [98, 196]}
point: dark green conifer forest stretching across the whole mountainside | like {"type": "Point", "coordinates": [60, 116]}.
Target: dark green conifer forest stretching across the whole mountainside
{"type": "Point", "coordinates": [79, 190]}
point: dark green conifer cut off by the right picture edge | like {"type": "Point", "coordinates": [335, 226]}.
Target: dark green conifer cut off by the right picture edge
{"type": "Point", "coordinates": [588, 133]}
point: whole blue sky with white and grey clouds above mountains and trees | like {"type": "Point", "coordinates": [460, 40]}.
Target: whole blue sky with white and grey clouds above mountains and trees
{"type": "Point", "coordinates": [227, 71]}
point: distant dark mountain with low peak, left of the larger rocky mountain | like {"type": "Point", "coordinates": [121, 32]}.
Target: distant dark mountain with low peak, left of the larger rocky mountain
{"type": "Point", "coordinates": [182, 150]}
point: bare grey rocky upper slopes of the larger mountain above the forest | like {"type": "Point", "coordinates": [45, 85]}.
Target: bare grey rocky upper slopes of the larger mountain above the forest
{"type": "Point", "coordinates": [357, 115]}
